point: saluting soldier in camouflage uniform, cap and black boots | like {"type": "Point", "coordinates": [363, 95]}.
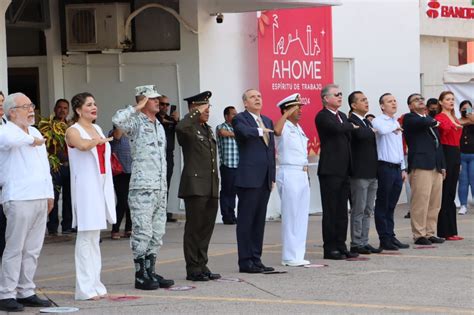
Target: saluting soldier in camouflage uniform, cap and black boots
{"type": "Point", "coordinates": [147, 195]}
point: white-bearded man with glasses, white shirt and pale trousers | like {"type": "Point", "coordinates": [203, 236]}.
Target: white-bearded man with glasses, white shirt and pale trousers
{"type": "Point", "coordinates": [27, 197]}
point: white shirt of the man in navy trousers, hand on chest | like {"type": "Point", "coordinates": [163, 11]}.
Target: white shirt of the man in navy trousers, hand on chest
{"type": "Point", "coordinates": [389, 144]}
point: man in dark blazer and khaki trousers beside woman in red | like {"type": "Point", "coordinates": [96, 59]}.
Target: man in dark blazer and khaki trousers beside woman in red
{"type": "Point", "coordinates": [427, 167]}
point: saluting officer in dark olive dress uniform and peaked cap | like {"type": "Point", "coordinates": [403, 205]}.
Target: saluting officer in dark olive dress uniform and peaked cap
{"type": "Point", "coordinates": [199, 186]}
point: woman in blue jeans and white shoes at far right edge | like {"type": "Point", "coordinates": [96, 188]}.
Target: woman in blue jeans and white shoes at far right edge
{"type": "Point", "coordinates": [466, 178]}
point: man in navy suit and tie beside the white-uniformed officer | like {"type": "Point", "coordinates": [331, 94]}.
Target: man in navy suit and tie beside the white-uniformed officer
{"type": "Point", "coordinates": [255, 178]}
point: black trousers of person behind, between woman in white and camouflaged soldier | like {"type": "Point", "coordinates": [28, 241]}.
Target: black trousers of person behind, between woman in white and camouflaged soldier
{"type": "Point", "coordinates": [121, 185]}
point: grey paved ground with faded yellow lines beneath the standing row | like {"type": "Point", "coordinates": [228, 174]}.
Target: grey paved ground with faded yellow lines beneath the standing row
{"type": "Point", "coordinates": [421, 281]}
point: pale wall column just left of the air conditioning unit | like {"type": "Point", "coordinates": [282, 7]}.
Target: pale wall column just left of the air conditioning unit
{"type": "Point", "coordinates": [54, 56]}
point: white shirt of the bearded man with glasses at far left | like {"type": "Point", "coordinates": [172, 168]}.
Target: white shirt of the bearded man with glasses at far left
{"type": "Point", "coordinates": [25, 172]}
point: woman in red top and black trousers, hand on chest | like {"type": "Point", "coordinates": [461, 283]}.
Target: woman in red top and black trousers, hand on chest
{"type": "Point", "coordinates": [450, 130]}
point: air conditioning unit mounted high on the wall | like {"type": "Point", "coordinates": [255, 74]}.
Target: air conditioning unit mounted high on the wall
{"type": "Point", "coordinates": [96, 26]}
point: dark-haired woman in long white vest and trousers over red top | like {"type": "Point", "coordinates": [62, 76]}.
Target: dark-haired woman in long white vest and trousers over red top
{"type": "Point", "coordinates": [92, 194]}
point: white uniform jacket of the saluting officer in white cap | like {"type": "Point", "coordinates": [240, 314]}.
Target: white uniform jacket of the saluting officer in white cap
{"type": "Point", "coordinates": [292, 145]}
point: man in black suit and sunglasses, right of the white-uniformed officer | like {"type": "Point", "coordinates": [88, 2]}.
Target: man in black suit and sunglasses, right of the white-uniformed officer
{"type": "Point", "coordinates": [333, 172]}
